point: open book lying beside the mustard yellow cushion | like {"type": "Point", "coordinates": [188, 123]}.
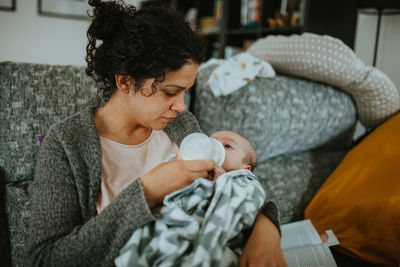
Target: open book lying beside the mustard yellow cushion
{"type": "Point", "coordinates": [302, 245]}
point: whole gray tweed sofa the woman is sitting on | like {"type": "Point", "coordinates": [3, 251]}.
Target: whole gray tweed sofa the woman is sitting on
{"type": "Point", "coordinates": [301, 130]}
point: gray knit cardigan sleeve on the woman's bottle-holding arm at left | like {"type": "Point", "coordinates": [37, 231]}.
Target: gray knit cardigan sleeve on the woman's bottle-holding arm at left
{"type": "Point", "coordinates": [61, 233]}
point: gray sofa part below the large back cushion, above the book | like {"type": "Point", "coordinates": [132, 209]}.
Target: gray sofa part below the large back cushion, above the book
{"type": "Point", "coordinates": [292, 180]}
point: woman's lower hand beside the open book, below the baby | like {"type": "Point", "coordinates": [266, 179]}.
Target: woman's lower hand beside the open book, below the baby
{"type": "Point", "coordinates": [263, 247]}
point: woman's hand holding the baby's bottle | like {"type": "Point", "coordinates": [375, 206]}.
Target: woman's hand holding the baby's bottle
{"type": "Point", "coordinates": [171, 176]}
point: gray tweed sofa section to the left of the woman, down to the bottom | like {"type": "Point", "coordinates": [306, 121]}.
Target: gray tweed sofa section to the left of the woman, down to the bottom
{"type": "Point", "coordinates": [32, 98]}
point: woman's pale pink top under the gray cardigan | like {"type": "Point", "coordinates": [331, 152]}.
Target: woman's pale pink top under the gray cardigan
{"type": "Point", "coordinates": [122, 164]}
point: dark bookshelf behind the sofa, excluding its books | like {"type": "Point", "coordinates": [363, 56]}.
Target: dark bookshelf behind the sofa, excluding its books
{"type": "Point", "coordinates": [320, 17]}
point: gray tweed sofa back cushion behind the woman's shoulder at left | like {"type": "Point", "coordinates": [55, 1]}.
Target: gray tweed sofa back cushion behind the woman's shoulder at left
{"type": "Point", "coordinates": [33, 97]}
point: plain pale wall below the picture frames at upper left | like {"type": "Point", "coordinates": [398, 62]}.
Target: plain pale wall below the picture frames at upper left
{"type": "Point", "coordinates": [27, 37]}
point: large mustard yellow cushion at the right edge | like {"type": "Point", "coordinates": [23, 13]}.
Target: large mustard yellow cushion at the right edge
{"type": "Point", "coordinates": [360, 201]}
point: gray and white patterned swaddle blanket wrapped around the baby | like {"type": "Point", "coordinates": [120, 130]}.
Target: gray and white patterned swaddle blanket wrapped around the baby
{"type": "Point", "coordinates": [198, 223]}
